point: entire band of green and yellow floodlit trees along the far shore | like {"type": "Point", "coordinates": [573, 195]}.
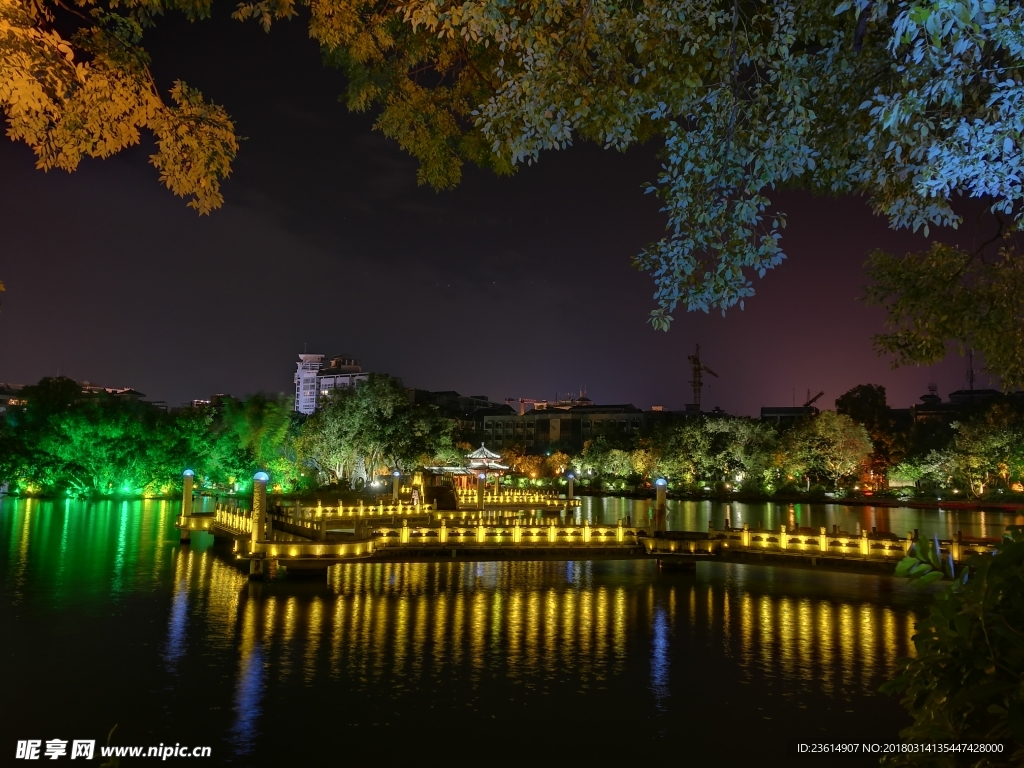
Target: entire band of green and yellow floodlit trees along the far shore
{"type": "Point", "coordinates": [65, 443]}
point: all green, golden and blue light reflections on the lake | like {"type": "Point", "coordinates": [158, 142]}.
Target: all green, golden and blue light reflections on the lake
{"type": "Point", "coordinates": [359, 648]}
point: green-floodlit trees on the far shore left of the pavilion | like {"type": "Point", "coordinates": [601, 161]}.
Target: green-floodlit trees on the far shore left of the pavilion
{"type": "Point", "coordinates": [64, 442]}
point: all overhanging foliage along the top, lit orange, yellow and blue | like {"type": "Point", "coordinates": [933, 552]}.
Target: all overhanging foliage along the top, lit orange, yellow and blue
{"type": "Point", "coordinates": [909, 104]}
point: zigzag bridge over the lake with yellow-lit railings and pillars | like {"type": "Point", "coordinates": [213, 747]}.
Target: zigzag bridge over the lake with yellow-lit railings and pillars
{"type": "Point", "coordinates": [316, 538]}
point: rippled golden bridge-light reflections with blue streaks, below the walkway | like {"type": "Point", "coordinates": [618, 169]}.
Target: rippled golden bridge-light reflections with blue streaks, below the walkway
{"type": "Point", "coordinates": [414, 622]}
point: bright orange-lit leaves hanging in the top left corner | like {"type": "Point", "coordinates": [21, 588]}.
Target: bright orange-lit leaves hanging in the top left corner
{"type": "Point", "coordinates": [92, 95]}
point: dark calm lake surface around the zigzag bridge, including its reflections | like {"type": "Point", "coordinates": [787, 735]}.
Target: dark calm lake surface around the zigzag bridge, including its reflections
{"type": "Point", "coordinates": [107, 620]}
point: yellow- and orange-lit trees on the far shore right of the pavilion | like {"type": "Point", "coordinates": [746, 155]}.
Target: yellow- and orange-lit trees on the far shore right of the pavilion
{"type": "Point", "coordinates": [864, 447]}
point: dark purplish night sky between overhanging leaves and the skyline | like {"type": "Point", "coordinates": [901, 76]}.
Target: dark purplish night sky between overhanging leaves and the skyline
{"type": "Point", "coordinates": [516, 287]}
